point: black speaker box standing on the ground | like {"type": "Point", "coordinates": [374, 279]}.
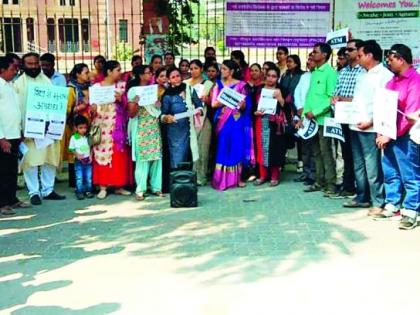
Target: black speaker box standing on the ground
{"type": "Point", "coordinates": [183, 189]}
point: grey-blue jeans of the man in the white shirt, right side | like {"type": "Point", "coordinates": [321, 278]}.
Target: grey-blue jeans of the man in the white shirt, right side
{"type": "Point", "coordinates": [367, 168]}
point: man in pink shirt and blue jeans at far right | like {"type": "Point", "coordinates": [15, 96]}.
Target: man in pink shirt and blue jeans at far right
{"type": "Point", "coordinates": [401, 158]}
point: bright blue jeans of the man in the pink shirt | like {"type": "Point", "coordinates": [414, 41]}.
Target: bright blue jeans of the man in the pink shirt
{"type": "Point", "coordinates": [401, 165]}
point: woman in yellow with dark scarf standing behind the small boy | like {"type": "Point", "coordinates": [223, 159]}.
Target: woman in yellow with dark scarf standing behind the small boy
{"type": "Point", "coordinates": [78, 104]}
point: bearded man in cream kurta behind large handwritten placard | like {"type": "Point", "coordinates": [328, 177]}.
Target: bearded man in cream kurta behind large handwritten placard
{"type": "Point", "coordinates": [47, 158]}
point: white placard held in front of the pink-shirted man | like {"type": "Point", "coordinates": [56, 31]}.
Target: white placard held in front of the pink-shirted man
{"type": "Point", "coordinates": [385, 107]}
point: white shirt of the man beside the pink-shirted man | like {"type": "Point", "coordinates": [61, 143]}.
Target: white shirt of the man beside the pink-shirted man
{"type": "Point", "coordinates": [365, 89]}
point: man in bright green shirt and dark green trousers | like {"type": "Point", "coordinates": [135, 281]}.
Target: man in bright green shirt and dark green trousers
{"type": "Point", "coordinates": [317, 107]}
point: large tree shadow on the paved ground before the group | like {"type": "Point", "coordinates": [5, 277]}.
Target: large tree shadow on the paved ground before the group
{"type": "Point", "coordinates": [247, 233]}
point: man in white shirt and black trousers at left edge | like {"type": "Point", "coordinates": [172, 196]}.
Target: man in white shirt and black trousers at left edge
{"type": "Point", "coordinates": [10, 134]}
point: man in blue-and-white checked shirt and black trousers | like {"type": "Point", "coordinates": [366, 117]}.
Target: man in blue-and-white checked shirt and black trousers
{"type": "Point", "coordinates": [344, 91]}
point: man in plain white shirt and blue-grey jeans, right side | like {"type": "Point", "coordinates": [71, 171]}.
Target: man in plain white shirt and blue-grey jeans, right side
{"type": "Point", "coordinates": [366, 156]}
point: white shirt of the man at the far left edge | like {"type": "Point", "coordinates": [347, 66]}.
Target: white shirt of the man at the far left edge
{"type": "Point", "coordinates": [10, 115]}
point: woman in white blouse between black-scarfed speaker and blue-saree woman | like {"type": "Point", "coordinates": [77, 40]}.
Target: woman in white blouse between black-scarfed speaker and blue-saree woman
{"type": "Point", "coordinates": [202, 122]}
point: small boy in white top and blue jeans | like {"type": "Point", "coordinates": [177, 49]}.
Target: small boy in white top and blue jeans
{"type": "Point", "coordinates": [79, 146]}
